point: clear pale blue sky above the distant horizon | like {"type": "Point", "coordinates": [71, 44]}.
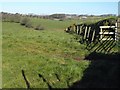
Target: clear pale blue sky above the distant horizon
{"type": "Point", "coordinates": [47, 8]}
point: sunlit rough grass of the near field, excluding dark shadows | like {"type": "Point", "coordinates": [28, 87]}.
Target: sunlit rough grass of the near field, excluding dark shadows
{"type": "Point", "coordinates": [40, 52]}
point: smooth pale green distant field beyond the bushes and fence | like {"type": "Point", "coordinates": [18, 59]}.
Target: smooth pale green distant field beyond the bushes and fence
{"type": "Point", "coordinates": [61, 25]}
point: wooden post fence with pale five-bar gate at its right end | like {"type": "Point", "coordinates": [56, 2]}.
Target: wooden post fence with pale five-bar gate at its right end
{"type": "Point", "coordinates": [92, 32]}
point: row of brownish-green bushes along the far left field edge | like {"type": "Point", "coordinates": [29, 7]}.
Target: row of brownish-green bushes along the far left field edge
{"type": "Point", "coordinates": [24, 20]}
